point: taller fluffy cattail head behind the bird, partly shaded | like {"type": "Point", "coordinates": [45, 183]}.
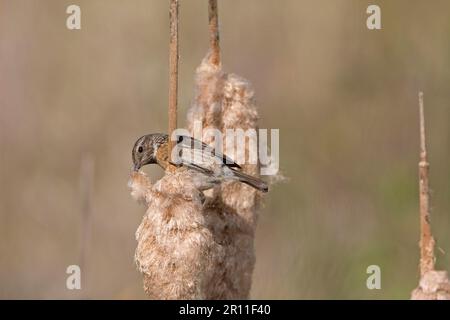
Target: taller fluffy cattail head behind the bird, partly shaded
{"type": "Point", "coordinates": [226, 101]}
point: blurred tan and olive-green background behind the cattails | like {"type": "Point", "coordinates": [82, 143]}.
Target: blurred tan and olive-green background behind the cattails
{"type": "Point", "coordinates": [343, 97]}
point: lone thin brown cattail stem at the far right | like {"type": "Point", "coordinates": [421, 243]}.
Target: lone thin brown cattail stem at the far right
{"type": "Point", "coordinates": [426, 238]}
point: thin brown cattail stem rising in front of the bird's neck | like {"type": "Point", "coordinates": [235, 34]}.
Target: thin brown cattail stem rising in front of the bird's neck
{"type": "Point", "coordinates": [173, 71]}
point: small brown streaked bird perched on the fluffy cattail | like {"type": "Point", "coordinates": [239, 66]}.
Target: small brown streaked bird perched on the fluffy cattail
{"type": "Point", "coordinates": [192, 154]}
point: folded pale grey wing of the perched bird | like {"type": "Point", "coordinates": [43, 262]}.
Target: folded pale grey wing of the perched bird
{"type": "Point", "coordinates": [200, 151]}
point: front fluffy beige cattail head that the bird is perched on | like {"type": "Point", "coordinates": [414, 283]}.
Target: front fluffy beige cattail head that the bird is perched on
{"type": "Point", "coordinates": [176, 249]}
